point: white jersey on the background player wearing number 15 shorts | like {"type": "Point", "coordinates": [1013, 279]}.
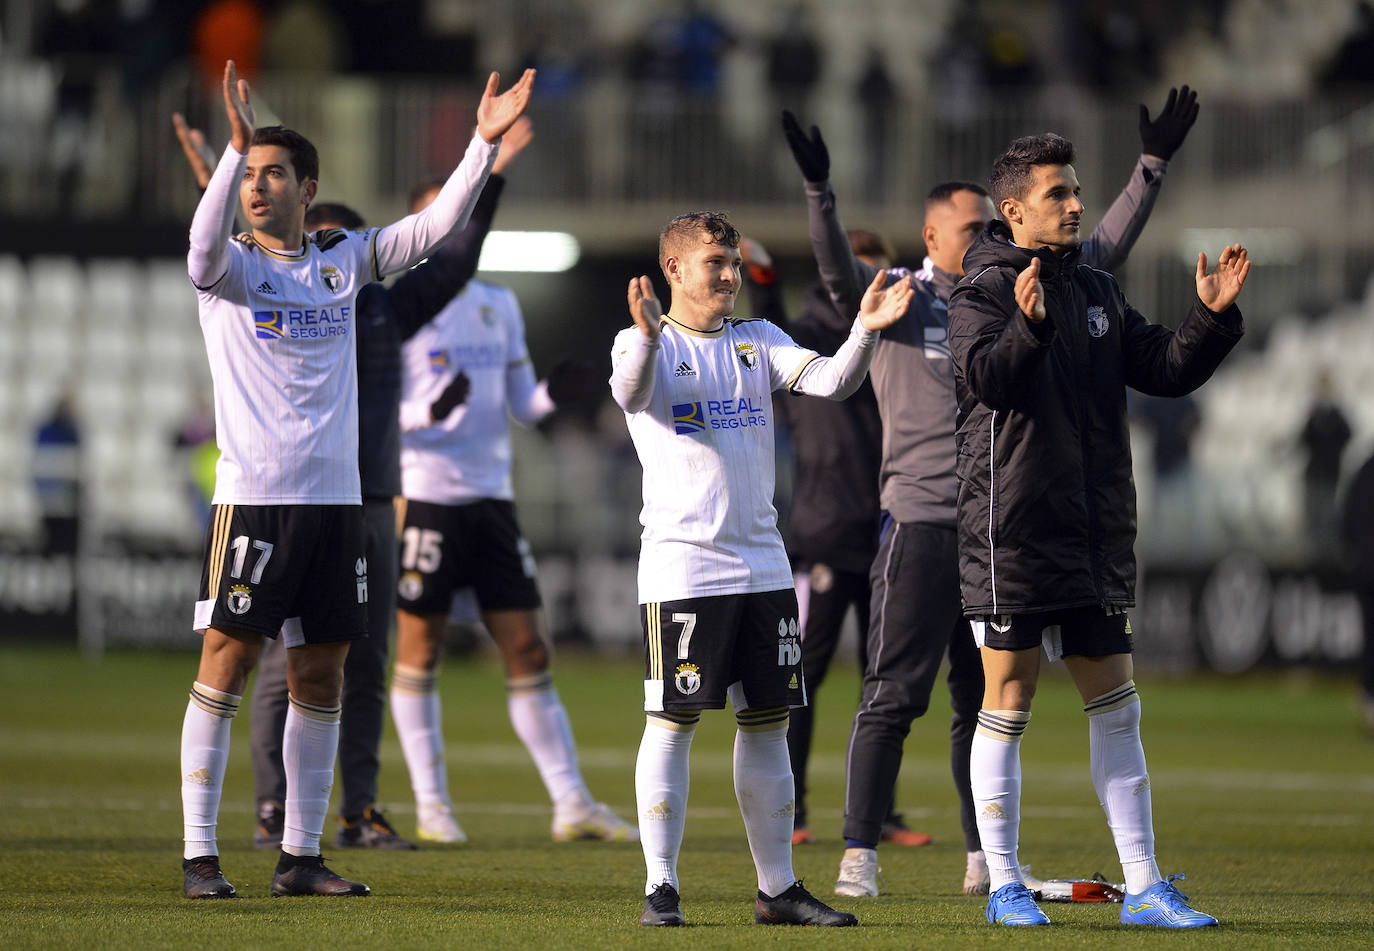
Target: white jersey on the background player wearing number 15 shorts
{"type": "Point", "coordinates": [468, 456]}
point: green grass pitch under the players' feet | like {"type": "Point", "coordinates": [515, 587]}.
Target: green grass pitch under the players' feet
{"type": "Point", "coordinates": [1263, 795]}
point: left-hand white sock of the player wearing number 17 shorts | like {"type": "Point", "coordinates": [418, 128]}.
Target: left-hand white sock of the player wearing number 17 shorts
{"type": "Point", "coordinates": [205, 752]}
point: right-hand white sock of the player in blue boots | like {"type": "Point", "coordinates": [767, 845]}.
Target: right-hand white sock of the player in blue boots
{"type": "Point", "coordinates": [1123, 783]}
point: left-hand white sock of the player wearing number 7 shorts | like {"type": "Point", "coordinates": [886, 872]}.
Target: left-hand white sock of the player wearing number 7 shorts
{"type": "Point", "coordinates": [662, 784]}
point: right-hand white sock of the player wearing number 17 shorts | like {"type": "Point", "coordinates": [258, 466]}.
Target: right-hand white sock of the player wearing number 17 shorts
{"type": "Point", "coordinates": [310, 744]}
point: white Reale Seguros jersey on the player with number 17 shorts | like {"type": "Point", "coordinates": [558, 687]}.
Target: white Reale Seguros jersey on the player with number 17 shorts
{"type": "Point", "coordinates": [280, 332]}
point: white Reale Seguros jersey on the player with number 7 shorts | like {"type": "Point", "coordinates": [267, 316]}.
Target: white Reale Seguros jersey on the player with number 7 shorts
{"type": "Point", "coordinates": [707, 447]}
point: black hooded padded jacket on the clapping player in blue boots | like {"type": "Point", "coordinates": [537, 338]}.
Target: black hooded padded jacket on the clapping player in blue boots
{"type": "Point", "coordinates": [1046, 495]}
